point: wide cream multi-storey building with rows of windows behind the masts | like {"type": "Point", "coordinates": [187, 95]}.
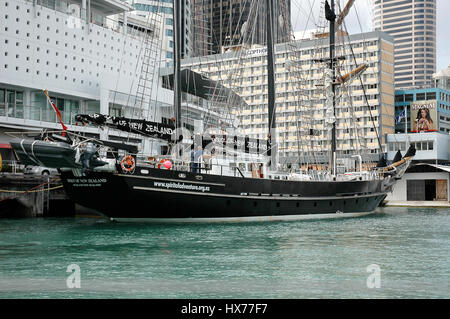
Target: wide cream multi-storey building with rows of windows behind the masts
{"type": "Point", "coordinates": [296, 72]}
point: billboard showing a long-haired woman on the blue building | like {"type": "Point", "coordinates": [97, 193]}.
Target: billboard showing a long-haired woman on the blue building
{"type": "Point", "coordinates": [424, 116]}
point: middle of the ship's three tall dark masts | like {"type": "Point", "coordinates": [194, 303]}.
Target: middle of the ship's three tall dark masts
{"type": "Point", "coordinates": [271, 85]}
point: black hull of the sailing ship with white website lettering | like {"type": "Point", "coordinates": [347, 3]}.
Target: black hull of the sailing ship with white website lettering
{"type": "Point", "coordinates": [170, 196]}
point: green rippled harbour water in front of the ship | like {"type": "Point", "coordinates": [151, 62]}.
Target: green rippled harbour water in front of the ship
{"type": "Point", "coordinates": [301, 259]}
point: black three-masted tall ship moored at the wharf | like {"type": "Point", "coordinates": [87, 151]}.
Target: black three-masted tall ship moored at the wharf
{"type": "Point", "coordinates": [213, 174]}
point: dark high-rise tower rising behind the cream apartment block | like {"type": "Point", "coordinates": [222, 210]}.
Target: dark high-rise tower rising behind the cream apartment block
{"type": "Point", "coordinates": [222, 24]}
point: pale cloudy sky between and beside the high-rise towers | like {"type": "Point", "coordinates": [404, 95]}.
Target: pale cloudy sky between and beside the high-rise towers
{"type": "Point", "coordinates": [360, 20]}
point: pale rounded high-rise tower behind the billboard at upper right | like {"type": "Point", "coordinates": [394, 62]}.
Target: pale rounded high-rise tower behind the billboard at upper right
{"type": "Point", "coordinates": [413, 25]}
